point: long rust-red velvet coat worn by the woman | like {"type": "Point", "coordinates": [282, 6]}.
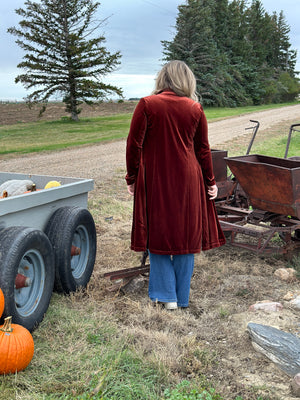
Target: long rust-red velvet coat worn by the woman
{"type": "Point", "coordinates": [169, 160]}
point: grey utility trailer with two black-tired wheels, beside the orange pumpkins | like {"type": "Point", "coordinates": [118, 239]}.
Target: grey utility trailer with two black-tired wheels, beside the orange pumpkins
{"type": "Point", "coordinates": [47, 241]}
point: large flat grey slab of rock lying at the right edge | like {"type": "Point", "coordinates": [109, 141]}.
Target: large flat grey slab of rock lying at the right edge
{"type": "Point", "coordinates": [280, 347]}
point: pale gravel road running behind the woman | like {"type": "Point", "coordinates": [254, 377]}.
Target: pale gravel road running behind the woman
{"type": "Point", "coordinates": [101, 161]}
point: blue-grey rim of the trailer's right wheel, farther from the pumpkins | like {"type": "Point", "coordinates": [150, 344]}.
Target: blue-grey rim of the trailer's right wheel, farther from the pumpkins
{"type": "Point", "coordinates": [79, 262]}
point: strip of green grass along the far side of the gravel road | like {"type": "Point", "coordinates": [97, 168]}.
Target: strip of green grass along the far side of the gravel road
{"type": "Point", "coordinates": [54, 135]}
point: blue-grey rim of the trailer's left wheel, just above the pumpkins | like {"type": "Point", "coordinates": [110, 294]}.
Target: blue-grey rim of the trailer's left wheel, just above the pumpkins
{"type": "Point", "coordinates": [28, 298]}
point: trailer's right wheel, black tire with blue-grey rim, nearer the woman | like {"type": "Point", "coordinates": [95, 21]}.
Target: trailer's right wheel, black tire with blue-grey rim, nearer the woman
{"type": "Point", "coordinates": [67, 226]}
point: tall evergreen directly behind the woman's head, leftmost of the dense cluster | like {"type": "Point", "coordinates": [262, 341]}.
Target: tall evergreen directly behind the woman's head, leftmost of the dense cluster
{"type": "Point", "coordinates": [195, 43]}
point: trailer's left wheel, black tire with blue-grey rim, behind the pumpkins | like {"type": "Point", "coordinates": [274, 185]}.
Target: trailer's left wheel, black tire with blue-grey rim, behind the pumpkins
{"type": "Point", "coordinates": [28, 251]}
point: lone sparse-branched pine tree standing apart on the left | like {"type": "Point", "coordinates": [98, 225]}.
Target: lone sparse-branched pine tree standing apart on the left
{"type": "Point", "coordinates": [64, 54]}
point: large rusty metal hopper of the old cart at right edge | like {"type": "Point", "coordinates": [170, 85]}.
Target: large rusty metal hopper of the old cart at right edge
{"type": "Point", "coordinates": [272, 184]}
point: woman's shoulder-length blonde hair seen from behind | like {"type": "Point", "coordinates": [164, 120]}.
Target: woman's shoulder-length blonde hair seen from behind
{"type": "Point", "coordinates": [178, 77]}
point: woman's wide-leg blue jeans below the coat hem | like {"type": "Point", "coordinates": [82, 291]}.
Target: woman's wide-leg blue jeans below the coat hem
{"type": "Point", "coordinates": [170, 278]}
